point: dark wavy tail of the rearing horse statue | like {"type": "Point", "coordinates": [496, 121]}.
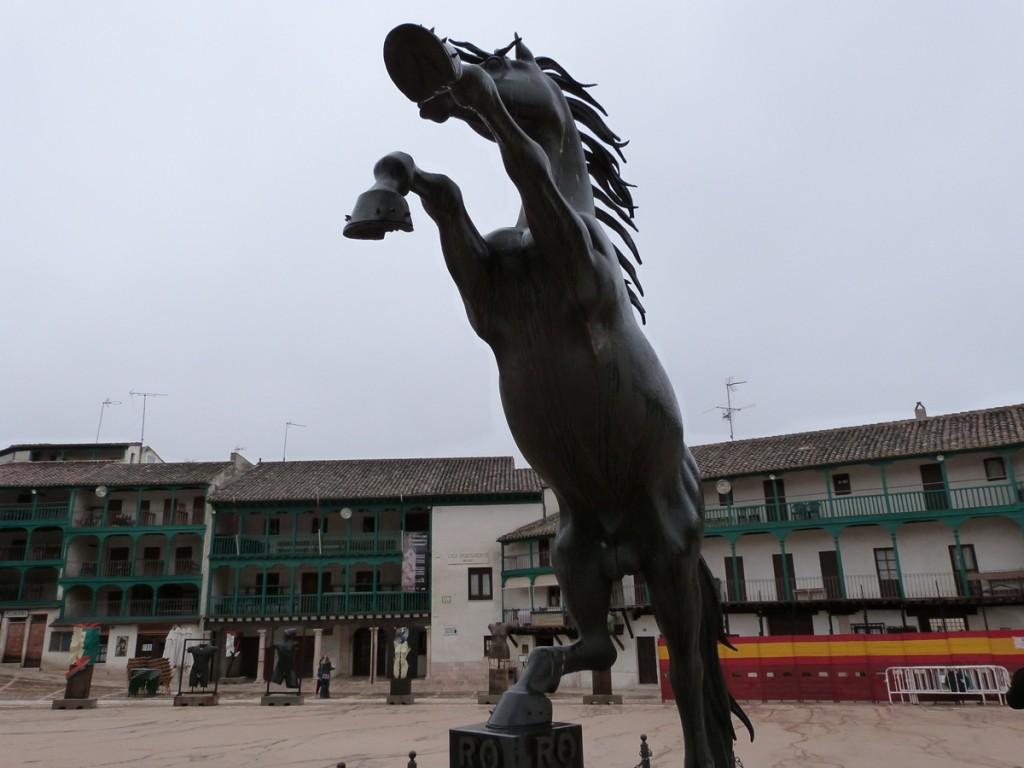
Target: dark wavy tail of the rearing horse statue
{"type": "Point", "coordinates": [719, 704]}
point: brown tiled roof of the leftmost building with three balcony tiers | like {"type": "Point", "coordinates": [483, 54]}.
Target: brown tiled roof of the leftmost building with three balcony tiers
{"type": "Point", "coordinates": [26, 475]}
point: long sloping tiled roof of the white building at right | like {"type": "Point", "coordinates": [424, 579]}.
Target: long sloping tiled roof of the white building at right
{"type": "Point", "coordinates": [973, 431]}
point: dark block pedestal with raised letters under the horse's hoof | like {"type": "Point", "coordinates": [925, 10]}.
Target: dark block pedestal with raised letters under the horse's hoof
{"type": "Point", "coordinates": [556, 746]}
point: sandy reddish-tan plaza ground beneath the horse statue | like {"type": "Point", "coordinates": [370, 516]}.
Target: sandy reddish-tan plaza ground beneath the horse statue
{"type": "Point", "coordinates": [357, 728]}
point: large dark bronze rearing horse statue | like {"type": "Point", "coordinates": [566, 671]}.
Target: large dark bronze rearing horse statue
{"type": "Point", "coordinates": [586, 399]}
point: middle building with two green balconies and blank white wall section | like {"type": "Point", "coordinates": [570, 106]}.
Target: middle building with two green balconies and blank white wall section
{"type": "Point", "coordinates": [348, 551]}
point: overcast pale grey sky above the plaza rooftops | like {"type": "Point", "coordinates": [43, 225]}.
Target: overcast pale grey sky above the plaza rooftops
{"type": "Point", "coordinates": [831, 209]}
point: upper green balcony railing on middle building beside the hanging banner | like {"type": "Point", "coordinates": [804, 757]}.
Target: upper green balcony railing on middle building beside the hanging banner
{"type": "Point", "coordinates": [306, 545]}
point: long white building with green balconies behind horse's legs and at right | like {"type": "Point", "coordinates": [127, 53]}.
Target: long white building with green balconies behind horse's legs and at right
{"type": "Point", "coordinates": [908, 526]}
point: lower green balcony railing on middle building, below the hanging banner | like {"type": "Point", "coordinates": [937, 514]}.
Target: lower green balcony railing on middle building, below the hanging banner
{"type": "Point", "coordinates": [342, 604]}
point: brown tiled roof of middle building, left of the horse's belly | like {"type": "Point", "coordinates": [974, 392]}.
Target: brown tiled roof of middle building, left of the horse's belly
{"type": "Point", "coordinates": [380, 479]}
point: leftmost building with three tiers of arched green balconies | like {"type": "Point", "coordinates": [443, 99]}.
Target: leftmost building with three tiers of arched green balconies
{"type": "Point", "coordinates": [88, 541]}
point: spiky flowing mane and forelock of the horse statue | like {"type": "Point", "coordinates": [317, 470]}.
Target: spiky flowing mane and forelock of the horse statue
{"type": "Point", "coordinates": [602, 145]}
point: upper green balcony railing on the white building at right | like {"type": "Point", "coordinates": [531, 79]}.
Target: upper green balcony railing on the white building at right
{"type": "Point", "coordinates": [868, 505]}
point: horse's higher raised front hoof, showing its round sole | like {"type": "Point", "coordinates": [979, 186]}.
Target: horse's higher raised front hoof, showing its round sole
{"type": "Point", "coordinates": [420, 63]}
